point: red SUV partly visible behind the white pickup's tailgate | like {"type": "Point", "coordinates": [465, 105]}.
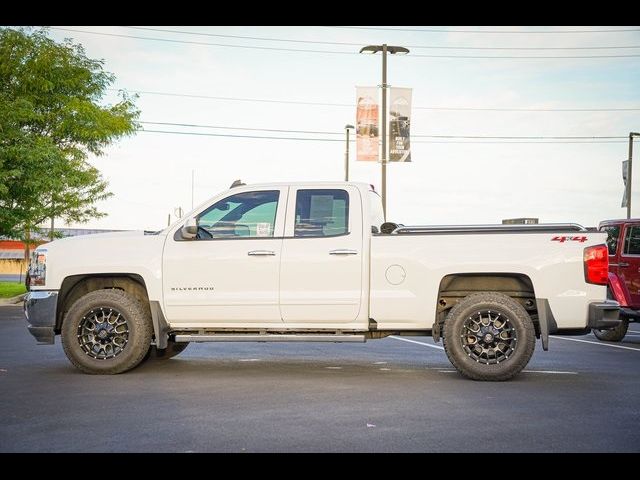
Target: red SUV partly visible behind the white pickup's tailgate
{"type": "Point", "coordinates": [624, 273]}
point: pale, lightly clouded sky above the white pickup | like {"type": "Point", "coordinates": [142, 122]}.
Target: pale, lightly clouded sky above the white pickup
{"type": "Point", "coordinates": [449, 181]}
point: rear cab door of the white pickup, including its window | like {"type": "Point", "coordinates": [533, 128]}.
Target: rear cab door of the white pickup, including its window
{"type": "Point", "coordinates": [322, 255]}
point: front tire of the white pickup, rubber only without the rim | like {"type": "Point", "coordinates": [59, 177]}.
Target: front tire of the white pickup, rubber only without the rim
{"type": "Point", "coordinates": [139, 332]}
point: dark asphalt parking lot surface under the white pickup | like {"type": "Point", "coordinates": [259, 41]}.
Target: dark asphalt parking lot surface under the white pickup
{"type": "Point", "coordinates": [386, 395]}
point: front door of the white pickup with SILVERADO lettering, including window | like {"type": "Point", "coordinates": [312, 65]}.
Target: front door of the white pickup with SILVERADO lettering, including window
{"type": "Point", "coordinates": [228, 275]}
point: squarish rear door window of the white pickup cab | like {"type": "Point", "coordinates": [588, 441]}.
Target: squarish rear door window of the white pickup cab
{"type": "Point", "coordinates": [321, 213]}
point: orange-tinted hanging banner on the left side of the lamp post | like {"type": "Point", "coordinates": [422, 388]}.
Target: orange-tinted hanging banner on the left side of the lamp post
{"type": "Point", "coordinates": [367, 121]}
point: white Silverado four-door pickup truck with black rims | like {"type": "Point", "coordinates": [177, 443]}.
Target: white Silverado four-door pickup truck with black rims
{"type": "Point", "coordinates": [316, 262]}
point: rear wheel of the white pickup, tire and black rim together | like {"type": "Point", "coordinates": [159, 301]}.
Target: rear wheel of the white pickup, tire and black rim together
{"type": "Point", "coordinates": [489, 336]}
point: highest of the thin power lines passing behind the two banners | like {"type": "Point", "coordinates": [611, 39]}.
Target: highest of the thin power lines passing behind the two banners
{"type": "Point", "coordinates": [351, 105]}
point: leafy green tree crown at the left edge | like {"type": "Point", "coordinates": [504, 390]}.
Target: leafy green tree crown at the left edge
{"type": "Point", "coordinates": [51, 119]}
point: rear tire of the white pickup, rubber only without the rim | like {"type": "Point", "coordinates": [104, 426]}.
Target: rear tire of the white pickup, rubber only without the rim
{"type": "Point", "coordinates": [519, 319]}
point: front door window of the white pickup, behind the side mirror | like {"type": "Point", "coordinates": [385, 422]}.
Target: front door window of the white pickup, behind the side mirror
{"type": "Point", "coordinates": [248, 214]}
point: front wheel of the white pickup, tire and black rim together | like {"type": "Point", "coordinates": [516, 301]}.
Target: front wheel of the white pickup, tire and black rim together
{"type": "Point", "coordinates": [106, 332]}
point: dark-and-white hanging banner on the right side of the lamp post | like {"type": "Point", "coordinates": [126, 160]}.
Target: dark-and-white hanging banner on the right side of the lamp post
{"type": "Point", "coordinates": [399, 125]}
